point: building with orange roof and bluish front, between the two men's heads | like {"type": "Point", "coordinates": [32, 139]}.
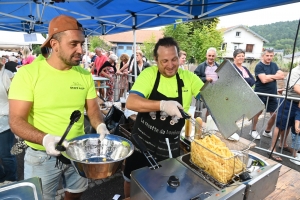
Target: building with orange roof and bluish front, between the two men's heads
{"type": "Point", "coordinates": [123, 42]}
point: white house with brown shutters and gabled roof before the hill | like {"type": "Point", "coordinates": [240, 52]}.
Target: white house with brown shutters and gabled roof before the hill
{"type": "Point", "coordinates": [241, 37]}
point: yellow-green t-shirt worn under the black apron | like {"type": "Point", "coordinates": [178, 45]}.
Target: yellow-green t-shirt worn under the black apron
{"type": "Point", "coordinates": [168, 86]}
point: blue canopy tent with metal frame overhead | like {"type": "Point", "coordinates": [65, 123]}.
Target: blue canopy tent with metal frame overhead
{"type": "Point", "coordinates": [100, 17]}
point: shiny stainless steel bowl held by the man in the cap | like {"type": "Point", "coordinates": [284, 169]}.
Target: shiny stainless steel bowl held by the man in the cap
{"type": "Point", "coordinates": [94, 159]}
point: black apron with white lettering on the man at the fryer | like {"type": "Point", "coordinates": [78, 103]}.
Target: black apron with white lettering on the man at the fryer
{"type": "Point", "coordinates": [154, 131]}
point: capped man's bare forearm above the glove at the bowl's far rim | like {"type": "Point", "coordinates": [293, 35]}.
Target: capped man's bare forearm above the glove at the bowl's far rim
{"type": "Point", "coordinates": [93, 112]}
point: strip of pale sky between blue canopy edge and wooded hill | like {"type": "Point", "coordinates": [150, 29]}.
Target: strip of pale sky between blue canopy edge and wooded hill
{"type": "Point", "coordinates": [288, 12]}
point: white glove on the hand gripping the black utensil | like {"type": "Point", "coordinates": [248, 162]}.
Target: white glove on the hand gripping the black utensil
{"type": "Point", "coordinates": [50, 141]}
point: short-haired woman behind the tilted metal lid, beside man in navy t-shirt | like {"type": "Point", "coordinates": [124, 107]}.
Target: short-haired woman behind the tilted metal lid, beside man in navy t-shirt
{"type": "Point", "coordinates": [239, 57]}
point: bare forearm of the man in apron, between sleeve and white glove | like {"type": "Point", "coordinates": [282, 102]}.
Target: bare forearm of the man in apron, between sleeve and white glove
{"type": "Point", "coordinates": [140, 104]}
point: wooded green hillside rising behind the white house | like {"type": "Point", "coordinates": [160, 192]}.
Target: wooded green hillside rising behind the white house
{"type": "Point", "coordinates": [281, 35]}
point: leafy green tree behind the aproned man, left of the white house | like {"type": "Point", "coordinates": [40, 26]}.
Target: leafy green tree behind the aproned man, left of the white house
{"type": "Point", "coordinates": [196, 37]}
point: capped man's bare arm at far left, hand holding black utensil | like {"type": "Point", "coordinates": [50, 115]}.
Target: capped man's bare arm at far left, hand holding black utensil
{"type": "Point", "coordinates": [18, 121]}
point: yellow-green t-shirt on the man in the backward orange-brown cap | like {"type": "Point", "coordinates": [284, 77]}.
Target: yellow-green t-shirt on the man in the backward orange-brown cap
{"type": "Point", "coordinates": [55, 95]}
